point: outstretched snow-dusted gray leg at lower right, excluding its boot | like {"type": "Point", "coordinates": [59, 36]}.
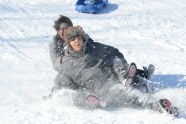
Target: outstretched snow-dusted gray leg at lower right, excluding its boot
{"type": "Point", "coordinates": [119, 95]}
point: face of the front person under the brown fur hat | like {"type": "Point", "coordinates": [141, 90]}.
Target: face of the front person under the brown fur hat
{"type": "Point", "coordinates": [77, 43]}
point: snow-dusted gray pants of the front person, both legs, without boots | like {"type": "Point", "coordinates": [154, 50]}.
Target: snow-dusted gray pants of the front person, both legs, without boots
{"type": "Point", "coordinates": [118, 95]}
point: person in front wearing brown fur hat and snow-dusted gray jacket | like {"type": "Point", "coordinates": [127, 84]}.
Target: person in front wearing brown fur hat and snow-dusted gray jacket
{"type": "Point", "coordinates": [99, 71]}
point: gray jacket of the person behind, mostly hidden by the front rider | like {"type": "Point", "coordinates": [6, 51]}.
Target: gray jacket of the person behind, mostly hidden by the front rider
{"type": "Point", "coordinates": [56, 50]}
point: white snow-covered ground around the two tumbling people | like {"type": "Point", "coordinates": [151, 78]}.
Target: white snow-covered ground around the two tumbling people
{"type": "Point", "coordinates": [145, 31]}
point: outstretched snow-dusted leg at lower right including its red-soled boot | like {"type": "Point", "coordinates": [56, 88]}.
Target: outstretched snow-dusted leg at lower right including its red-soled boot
{"type": "Point", "coordinates": [119, 95]}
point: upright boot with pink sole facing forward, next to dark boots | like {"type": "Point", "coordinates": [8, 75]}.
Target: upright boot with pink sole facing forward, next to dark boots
{"type": "Point", "coordinates": [131, 74]}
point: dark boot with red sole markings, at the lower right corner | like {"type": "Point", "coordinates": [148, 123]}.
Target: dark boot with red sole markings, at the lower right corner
{"type": "Point", "coordinates": [166, 106]}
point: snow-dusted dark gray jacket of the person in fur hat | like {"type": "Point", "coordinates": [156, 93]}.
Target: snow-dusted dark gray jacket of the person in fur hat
{"type": "Point", "coordinates": [92, 67]}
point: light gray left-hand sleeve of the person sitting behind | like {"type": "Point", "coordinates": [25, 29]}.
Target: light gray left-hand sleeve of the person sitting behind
{"type": "Point", "coordinates": [56, 61]}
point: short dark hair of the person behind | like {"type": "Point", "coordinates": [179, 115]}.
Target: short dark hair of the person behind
{"type": "Point", "coordinates": [60, 20]}
